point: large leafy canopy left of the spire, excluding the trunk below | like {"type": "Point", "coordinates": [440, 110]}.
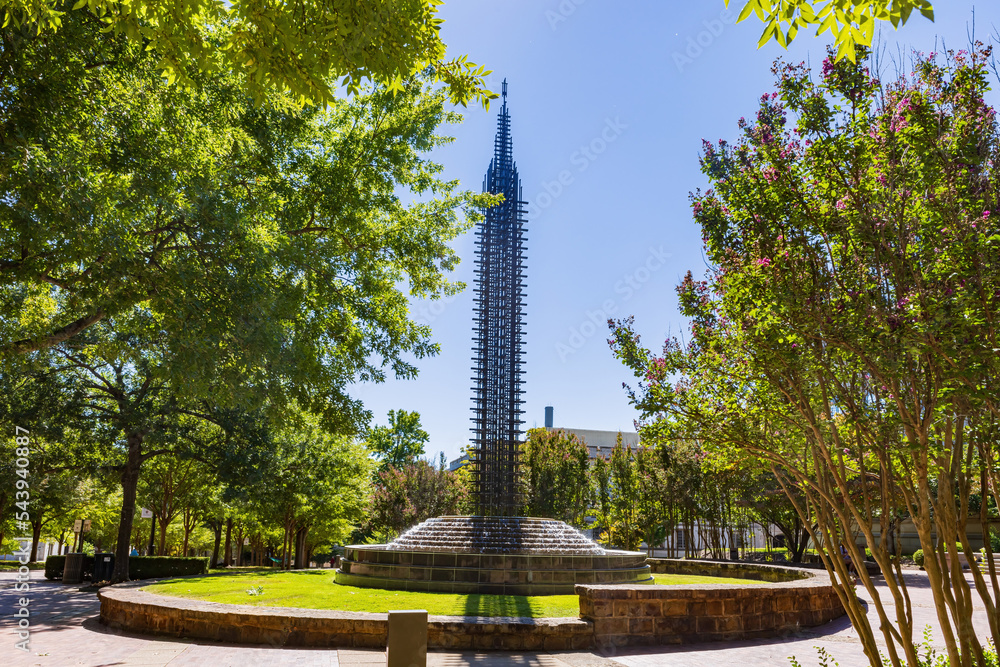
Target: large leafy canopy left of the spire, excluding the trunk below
{"type": "Point", "coordinates": [102, 209]}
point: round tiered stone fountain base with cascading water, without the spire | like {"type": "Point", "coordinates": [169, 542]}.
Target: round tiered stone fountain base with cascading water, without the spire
{"type": "Point", "coordinates": [510, 556]}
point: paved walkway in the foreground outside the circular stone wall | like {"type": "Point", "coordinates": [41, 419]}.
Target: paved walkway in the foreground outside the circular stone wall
{"type": "Point", "coordinates": [65, 632]}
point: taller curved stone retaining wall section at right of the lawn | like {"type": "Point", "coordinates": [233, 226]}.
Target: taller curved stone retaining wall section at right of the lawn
{"type": "Point", "coordinates": [786, 600]}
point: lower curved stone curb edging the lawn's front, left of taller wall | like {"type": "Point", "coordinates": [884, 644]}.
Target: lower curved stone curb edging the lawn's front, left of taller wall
{"type": "Point", "coordinates": [128, 607]}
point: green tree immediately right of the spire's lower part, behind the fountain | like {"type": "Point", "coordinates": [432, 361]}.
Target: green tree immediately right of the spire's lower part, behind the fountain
{"type": "Point", "coordinates": [556, 468]}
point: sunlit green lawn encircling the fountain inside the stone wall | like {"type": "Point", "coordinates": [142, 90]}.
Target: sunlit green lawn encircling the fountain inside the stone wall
{"type": "Point", "coordinates": [316, 589]}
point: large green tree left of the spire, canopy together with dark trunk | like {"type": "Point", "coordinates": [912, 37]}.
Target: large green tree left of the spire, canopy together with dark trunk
{"type": "Point", "coordinates": [186, 256]}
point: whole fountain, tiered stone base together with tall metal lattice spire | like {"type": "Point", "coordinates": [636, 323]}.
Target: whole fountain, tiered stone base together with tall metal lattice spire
{"type": "Point", "coordinates": [495, 551]}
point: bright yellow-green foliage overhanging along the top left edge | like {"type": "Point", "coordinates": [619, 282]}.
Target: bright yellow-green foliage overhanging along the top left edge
{"type": "Point", "coordinates": [301, 47]}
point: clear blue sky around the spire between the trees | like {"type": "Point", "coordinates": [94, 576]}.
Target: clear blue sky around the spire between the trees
{"type": "Point", "coordinates": [609, 104]}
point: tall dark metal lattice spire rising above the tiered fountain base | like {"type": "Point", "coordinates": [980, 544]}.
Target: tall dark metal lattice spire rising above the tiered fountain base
{"type": "Point", "coordinates": [498, 336]}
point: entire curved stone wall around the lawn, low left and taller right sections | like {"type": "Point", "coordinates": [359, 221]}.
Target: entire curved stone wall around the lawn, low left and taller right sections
{"type": "Point", "coordinates": [785, 599]}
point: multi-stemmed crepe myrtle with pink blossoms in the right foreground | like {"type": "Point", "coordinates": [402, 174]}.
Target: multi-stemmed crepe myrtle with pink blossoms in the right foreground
{"type": "Point", "coordinates": [845, 332]}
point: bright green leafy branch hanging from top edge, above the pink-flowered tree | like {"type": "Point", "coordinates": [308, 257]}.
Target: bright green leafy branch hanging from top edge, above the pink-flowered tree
{"type": "Point", "coordinates": [852, 23]}
